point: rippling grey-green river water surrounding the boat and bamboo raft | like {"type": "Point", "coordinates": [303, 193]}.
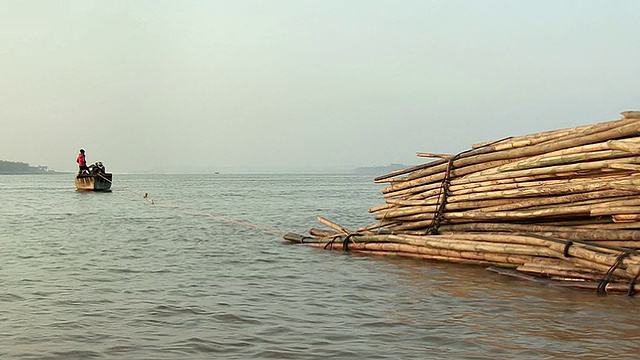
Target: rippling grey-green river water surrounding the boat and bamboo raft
{"type": "Point", "coordinates": [203, 272]}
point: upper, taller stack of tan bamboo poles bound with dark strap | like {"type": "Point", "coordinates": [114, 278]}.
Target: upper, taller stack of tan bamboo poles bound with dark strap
{"type": "Point", "coordinates": [584, 177]}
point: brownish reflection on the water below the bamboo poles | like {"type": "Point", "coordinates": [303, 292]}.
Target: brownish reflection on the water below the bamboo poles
{"type": "Point", "coordinates": [514, 315]}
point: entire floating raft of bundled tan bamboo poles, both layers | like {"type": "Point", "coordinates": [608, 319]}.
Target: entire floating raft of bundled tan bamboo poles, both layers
{"type": "Point", "coordinates": [560, 207]}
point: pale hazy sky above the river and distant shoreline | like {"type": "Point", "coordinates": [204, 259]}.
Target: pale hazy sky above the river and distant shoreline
{"type": "Point", "coordinates": [285, 85]}
